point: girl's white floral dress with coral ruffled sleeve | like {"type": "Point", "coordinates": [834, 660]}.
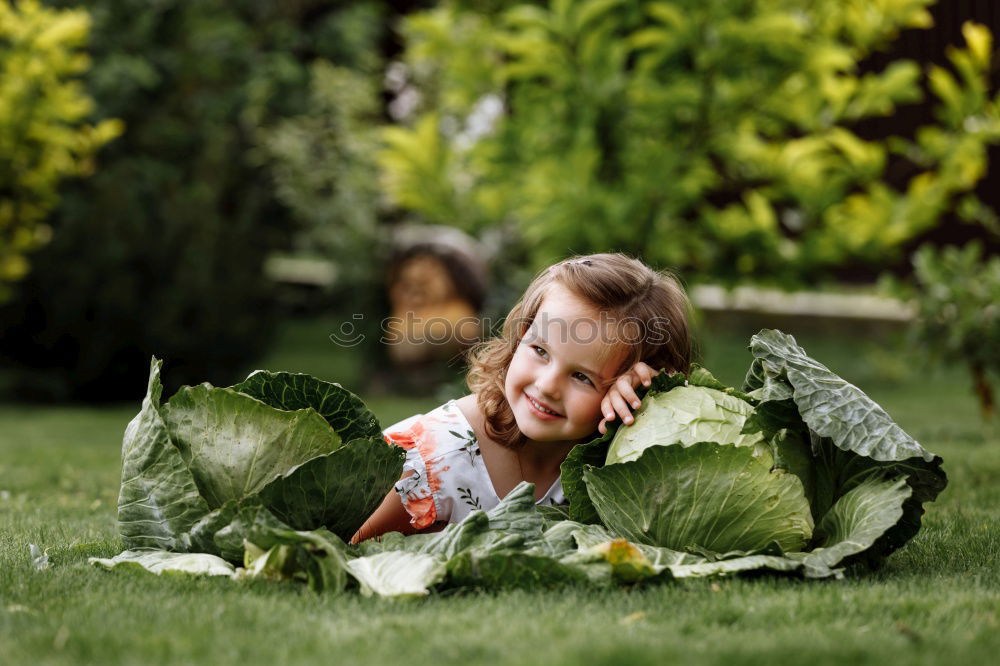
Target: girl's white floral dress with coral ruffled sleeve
{"type": "Point", "coordinates": [449, 479]}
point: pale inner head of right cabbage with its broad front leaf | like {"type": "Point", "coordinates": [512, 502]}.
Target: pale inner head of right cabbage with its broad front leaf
{"type": "Point", "coordinates": [684, 476]}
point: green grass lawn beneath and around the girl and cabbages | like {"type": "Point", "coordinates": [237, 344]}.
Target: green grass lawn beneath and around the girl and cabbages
{"type": "Point", "coordinates": [935, 601]}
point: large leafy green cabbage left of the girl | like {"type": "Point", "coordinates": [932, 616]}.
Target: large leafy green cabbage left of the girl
{"type": "Point", "coordinates": [201, 467]}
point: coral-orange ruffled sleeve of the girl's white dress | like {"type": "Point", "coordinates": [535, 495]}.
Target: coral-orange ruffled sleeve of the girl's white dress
{"type": "Point", "coordinates": [416, 489]}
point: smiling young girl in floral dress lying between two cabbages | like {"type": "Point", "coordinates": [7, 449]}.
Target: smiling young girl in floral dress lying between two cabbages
{"type": "Point", "coordinates": [586, 332]}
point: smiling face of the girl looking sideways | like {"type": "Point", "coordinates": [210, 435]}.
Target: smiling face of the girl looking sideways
{"type": "Point", "coordinates": [563, 364]}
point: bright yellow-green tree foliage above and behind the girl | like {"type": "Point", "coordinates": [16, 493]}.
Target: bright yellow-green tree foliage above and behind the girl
{"type": "Point", "coordinates": [716, 137]}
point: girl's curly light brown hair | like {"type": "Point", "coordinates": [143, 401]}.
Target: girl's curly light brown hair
{"type": "Point", "coordinates": [653, 302]}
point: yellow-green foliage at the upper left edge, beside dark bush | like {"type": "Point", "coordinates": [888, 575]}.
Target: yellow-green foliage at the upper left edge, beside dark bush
{"type": "Point", "coordinates": [44, 136]}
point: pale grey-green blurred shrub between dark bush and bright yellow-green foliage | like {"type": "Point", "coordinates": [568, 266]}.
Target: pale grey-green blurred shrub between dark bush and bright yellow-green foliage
{"type": "Point", "coordinates": [324, 169]}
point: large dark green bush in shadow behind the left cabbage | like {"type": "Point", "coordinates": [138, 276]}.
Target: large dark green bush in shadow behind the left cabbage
{"type": "Point", "coordinates": [161, 252]}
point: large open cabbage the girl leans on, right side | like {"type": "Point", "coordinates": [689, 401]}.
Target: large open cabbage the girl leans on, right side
{"type": "Point", "coordinates": [802, 466]}
